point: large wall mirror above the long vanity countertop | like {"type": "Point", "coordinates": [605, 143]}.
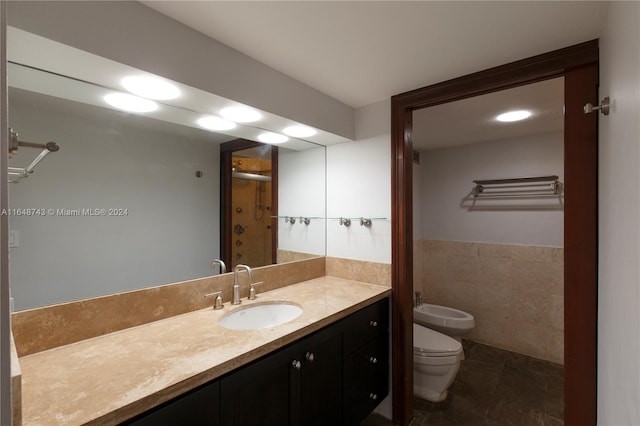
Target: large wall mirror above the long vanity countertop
{"type": "Point", "coordinates": [132, 200]}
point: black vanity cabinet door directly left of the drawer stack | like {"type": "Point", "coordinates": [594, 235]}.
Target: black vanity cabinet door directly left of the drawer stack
{"type": "Point", "coordinates": [321, 378]}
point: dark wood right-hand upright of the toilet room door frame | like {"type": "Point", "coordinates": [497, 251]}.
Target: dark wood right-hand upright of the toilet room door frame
{"type": "Point", "coordinates": [580, 246]}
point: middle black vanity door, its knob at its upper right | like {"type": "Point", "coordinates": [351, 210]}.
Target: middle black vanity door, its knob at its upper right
{"type": "Point", "coordinates": [259, 394]}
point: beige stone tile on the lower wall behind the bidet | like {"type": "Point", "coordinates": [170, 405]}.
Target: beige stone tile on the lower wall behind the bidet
{"type": "Point", "coordinates": [515, 292]}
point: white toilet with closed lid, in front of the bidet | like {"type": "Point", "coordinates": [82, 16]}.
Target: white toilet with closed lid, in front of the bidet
{"type": "Point", "coordinates": [436, 361]}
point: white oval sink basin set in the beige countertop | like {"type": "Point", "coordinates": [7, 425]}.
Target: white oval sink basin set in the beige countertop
{"type": "Point", "coordinates": [260, 315]}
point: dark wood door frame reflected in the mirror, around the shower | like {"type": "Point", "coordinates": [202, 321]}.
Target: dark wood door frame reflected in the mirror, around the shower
{"type": "Point", "coordinates": [226, 209]}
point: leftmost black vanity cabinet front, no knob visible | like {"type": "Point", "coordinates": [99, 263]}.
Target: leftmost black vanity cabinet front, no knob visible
{"type": "Point", "coordinates": [199, 407]}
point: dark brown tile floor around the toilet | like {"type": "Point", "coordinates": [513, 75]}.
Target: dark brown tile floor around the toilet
{"type": "Point", "coordinates": [495, 387]}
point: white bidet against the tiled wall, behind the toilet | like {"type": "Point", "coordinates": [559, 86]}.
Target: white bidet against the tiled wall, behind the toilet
{"type": "Point", "coordinates": [450, 321]}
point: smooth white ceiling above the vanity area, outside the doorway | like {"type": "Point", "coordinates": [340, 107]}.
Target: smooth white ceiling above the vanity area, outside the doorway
{"type": "Point", "coordinates": [361, 52]}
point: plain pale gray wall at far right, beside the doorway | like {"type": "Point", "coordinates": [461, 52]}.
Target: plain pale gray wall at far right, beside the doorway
{"type": "Point", "coordinates": [619, 212]}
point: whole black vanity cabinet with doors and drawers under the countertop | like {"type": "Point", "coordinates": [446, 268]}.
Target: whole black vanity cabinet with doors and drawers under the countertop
{"type": "Point", "coordinates": [335, 376]}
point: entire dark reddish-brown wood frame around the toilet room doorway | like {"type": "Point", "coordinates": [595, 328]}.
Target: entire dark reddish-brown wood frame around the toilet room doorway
{"type": "Point", "coordinates": [579, 65]}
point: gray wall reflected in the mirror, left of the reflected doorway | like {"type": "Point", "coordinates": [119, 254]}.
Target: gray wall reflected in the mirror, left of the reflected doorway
{"type": "Point", "coordinates": [171, 228]}
